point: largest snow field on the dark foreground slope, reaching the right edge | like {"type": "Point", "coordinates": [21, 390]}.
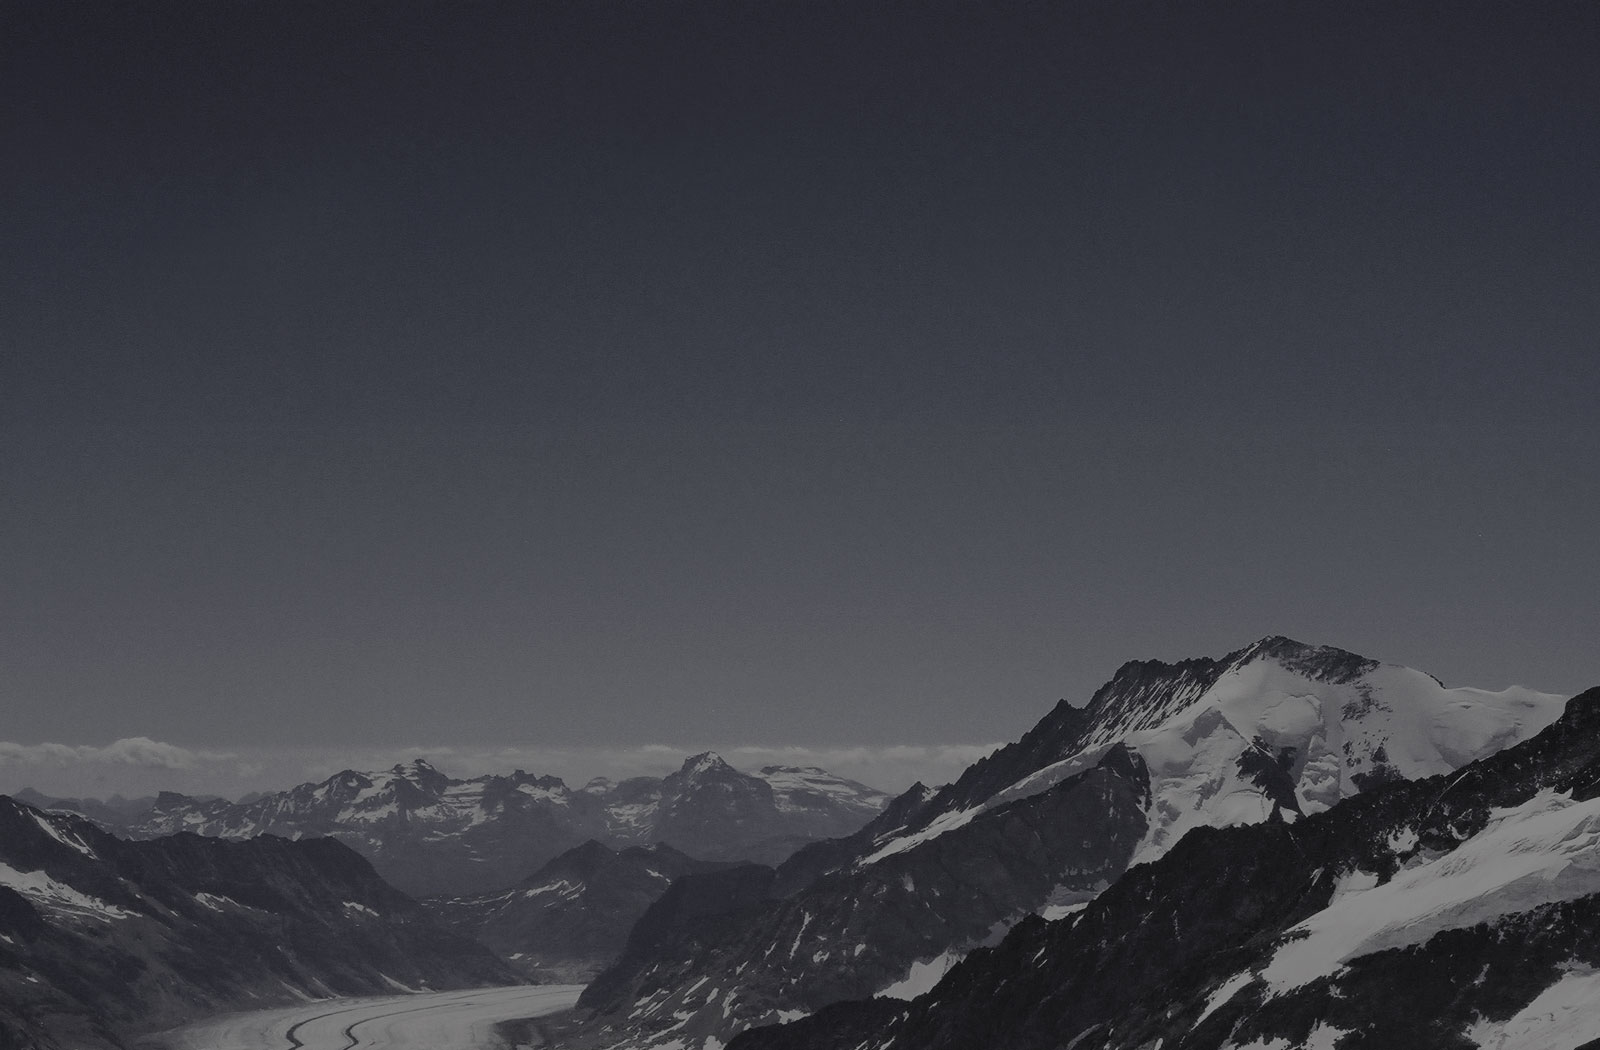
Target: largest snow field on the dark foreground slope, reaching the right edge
{"type": "Point", "coordinates": [1529, 856]}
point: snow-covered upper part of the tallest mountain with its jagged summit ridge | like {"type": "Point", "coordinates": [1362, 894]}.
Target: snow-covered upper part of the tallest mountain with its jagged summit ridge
{"type": "Point", "coordinates": [1278, 726]}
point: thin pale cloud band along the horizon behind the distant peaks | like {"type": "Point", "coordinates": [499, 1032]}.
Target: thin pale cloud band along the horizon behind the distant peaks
{"type": "Point", "coordinates": [140, 766]}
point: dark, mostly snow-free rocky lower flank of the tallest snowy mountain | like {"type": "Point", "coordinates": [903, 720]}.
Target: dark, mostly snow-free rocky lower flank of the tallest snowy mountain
{"type": "Point", "coordinates": [855, 932]}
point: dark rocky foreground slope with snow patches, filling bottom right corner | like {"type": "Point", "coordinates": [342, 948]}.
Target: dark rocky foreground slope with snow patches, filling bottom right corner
{"type": "Point", "coordinates": [1455, 912]}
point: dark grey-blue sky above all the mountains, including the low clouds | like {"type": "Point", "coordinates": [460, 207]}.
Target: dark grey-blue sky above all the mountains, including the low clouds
{"type": "Point", "coordinates": [580, 380]}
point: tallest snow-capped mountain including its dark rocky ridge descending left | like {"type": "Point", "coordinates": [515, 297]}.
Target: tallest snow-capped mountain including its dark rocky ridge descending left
{"type": "Point", "coordinates": [1278, 731]}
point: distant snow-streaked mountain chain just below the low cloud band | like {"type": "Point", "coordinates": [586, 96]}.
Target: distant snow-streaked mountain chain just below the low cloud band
{"type": "Point", "coordinates": [431, 835]}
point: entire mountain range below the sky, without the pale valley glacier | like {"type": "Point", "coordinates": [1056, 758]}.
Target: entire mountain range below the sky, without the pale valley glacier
{"type": "Point", "coordinates": [1286, 848]}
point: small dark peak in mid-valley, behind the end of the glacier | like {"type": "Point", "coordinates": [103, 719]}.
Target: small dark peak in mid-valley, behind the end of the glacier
{"type": "Point", "coordinates": [572, 918]}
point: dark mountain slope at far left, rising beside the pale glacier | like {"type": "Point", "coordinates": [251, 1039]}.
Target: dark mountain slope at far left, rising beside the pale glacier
{"type": "Point", "coordinates": [102, 937]}
